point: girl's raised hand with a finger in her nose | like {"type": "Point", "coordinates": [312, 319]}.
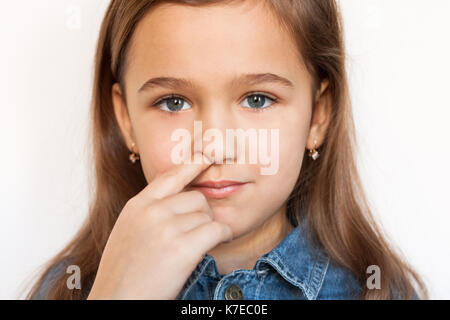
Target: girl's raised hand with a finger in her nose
{"type": "Point", "coordinates": [159, 238]}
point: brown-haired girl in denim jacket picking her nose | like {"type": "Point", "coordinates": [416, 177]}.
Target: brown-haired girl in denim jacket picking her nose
{"type": "Point", "coordinates": [213, 230]}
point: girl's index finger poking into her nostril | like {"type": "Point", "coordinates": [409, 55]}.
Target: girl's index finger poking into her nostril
{"type": "Point", "coordinates": [174, 180]}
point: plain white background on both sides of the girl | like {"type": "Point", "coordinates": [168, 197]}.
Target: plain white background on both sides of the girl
{"type": "Point", "coordinates": [399, 76]}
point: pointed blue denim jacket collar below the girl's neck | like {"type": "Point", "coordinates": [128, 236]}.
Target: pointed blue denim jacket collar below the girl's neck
{"type": "Point", "coordinates": [294, 258]}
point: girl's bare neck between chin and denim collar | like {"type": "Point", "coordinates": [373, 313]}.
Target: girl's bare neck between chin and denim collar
{"type": "Point", "coordinates": [244, 251]}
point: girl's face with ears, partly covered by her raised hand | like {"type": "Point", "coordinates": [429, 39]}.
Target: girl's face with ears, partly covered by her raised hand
{"type": "Point", "coordinates": [230, 67]}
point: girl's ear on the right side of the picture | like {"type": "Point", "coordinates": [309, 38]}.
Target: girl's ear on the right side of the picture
{"type": "Point", "coordinates": [321, 117]}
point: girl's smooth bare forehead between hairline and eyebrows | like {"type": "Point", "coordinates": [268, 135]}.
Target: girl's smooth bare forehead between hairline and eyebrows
{"type": "Point", "coordinates": [210, 42]}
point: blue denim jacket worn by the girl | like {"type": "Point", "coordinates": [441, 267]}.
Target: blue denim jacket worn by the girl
{"type": "Point", "coordinates": [293, 270]}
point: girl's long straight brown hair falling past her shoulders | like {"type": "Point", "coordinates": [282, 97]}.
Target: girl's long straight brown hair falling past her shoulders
{"type": "Point", "coordinates": [328, 192]}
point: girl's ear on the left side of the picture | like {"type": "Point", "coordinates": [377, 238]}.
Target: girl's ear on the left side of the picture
{"type": "Point", "coordinates": [122, 116]}
